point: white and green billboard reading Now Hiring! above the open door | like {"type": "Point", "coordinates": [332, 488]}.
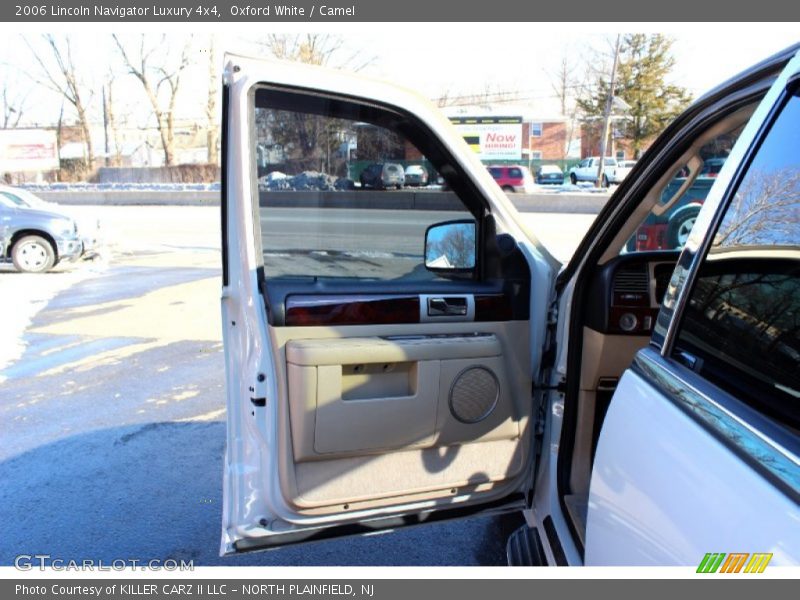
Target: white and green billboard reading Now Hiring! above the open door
{"type": "Point", "coordinates": [493, 138]}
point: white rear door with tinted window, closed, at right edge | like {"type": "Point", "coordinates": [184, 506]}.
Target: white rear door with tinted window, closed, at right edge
{"type": "Point", "coordinates": [699, 452]}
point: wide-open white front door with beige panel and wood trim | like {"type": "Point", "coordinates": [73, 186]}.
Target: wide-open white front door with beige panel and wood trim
{"type": "Point", "coordinates": [380, 339]}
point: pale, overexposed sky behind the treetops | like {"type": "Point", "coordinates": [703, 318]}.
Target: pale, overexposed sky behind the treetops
{"type": "Point", "coordinates": [433, 58]}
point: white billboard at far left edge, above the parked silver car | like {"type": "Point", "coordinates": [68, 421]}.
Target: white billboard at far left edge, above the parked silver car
{"type": "Point", "coordinates": [28, 150]}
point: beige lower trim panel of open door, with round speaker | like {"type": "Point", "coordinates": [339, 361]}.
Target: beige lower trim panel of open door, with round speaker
{"type": "Point", "coordinates": [371, 420]}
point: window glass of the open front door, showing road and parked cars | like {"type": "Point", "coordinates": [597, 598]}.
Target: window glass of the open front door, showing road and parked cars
{"type": "Point", "coordinates": [330, 179]}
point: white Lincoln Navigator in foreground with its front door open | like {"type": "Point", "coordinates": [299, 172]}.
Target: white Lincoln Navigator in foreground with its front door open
{"type": "Point", "coordinates": [640, 408]}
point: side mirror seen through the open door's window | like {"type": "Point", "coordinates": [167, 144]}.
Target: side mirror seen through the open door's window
{"type": "Point", "coordinates": [450, 247]}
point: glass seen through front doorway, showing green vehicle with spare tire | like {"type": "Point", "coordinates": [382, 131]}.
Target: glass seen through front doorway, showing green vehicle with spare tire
{"type": "Point", "coordinates": [668, 225]}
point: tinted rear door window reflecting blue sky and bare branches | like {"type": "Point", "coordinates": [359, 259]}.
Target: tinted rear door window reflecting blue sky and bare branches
{"type": "Point", "coordinates": [741, 326]}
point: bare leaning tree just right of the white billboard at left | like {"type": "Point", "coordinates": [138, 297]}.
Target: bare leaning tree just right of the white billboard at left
{"type": "Point", "coordinates": [61, 77]}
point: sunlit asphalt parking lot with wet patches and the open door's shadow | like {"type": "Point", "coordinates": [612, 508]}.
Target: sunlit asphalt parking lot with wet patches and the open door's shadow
{"type": "Point", "coordinates": [112, 403]}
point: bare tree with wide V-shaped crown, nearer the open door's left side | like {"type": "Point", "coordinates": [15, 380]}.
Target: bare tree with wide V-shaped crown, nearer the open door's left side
{"type": "Point", "coordinates": [158, 68]}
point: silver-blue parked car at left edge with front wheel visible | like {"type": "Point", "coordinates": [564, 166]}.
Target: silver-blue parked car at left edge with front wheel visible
{"type": "Point", "coordinates": [36, 240]}
